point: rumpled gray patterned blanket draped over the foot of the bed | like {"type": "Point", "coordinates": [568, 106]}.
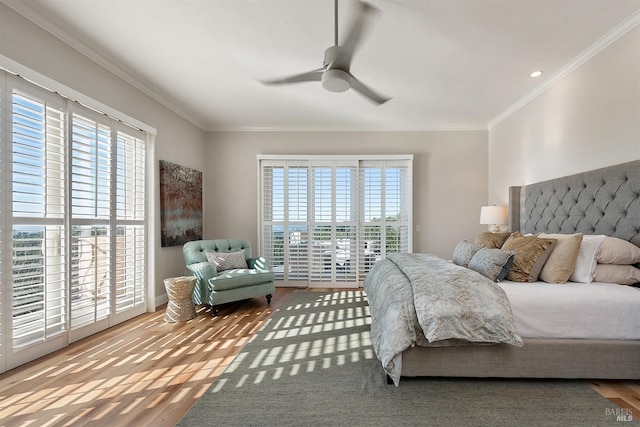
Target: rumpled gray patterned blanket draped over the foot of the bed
{"type": "Point", "coordinates": [424, 300]}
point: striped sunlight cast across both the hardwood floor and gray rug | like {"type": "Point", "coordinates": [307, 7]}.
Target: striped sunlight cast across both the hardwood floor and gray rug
{"type": "Point", "coordinates": [101, 377]}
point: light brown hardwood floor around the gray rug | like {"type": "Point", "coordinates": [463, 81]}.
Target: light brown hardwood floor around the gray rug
{"type": "Point", "coordinates": [146, 372]}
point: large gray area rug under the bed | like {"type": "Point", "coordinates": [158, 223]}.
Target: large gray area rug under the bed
{"type": "Point", "coordinates": [313, 364]}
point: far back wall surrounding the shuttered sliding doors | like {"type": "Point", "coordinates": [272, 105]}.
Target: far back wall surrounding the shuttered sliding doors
{"type": "Point", "coordinates": [450, 178]}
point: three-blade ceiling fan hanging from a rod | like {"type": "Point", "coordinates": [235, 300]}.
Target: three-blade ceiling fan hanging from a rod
{"type": "Point", "coordinates": [335, 74]}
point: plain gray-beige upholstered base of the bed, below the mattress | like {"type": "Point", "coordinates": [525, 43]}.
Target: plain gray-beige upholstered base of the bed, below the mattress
{"type": "Point", "coordinates": [538, 358]}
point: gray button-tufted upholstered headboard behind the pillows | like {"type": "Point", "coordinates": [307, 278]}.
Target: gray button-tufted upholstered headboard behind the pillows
{"type": "Point", "coordinates": [602, 201]}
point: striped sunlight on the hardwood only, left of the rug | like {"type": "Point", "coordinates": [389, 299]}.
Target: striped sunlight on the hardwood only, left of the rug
{"type": "Point", "coordinates": [100, 379]}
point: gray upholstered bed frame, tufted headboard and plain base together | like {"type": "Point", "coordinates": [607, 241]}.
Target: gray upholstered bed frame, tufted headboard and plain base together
{"type": "Point", "coordinates": [604, 201]}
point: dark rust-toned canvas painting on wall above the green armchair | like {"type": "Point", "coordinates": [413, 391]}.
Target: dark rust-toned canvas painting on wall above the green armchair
{"type": "Point", "coordinates": [180, 204]}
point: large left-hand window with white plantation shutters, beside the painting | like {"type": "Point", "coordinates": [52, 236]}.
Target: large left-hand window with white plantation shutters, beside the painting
{"type": "Point", "coordinates": [75, 186]}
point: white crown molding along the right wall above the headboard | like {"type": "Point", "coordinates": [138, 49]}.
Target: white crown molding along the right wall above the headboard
{"type": "Point", "coordinates": [597, 47]}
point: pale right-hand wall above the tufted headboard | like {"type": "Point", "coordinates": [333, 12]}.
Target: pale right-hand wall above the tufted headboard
{"type": "Point", "coordinates": [589, 119]}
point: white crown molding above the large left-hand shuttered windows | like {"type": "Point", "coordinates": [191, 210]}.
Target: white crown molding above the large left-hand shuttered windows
{"type": "Point", "coordinates": [46, 23]}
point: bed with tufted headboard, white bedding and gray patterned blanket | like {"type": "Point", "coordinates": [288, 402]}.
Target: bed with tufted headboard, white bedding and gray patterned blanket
{"type": "Point", "coordinates": [596, 340]}
